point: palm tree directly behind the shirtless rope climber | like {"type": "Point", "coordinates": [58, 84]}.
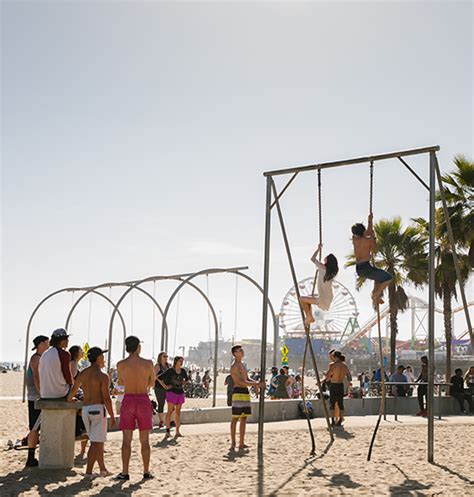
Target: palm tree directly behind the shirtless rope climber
{"type": "Point", "coordinates": [400, 252]}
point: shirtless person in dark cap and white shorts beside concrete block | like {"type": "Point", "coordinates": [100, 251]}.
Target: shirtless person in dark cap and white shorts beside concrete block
{"type": "Point", "coordinates": [95, 385]}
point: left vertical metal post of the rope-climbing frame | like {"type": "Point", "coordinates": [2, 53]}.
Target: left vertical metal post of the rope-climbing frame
{"type": "Point", "coordinates": [263, 346]}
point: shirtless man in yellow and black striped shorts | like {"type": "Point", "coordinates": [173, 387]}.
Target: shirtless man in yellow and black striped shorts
{"type": "Point", "coordinates": [240, 397]}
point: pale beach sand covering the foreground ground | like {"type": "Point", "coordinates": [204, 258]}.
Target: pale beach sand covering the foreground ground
{"type": "Point", "coordinates": [200, 463]}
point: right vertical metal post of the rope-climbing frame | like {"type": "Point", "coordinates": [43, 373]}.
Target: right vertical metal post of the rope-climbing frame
{"type": "Point", "coordinates": [431, 310]}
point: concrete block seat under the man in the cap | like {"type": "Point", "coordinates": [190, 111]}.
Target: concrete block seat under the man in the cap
{"type": "Point", "coordinates": [57, 436]}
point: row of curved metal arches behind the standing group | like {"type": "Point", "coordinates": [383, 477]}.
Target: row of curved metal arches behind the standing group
{"type": "Point", "coordinates": [184, 281]}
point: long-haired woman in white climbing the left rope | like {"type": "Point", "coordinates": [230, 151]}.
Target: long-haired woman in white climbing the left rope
{"type": "Point", "coordinates": [327, 271]}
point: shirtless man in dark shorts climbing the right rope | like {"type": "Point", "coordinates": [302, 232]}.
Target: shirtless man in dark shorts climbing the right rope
{"type": "Point", "coordinates": [364, 246]}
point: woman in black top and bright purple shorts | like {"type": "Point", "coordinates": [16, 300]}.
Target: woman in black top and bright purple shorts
{"type": "Point", "coordinates": [174, 381]}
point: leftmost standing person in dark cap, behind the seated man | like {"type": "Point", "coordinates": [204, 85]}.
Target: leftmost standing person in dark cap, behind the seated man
{"type": "Point", "coordinates": [41, 344]}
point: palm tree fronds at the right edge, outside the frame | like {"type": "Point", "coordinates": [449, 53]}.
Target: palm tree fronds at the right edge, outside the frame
{"type": "Point", "coordinates": [459, 191]}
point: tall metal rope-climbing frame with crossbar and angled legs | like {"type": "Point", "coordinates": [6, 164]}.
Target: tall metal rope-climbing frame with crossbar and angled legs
{"type": "Point", "coordinates": [273, 199]}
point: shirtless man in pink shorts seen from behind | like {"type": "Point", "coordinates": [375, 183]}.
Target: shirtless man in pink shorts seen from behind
{"type": "Point", "coordinates": [137, 375]}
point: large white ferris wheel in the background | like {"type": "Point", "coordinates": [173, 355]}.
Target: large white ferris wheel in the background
{"type": "Point", "coordinates": [330, 323]}
